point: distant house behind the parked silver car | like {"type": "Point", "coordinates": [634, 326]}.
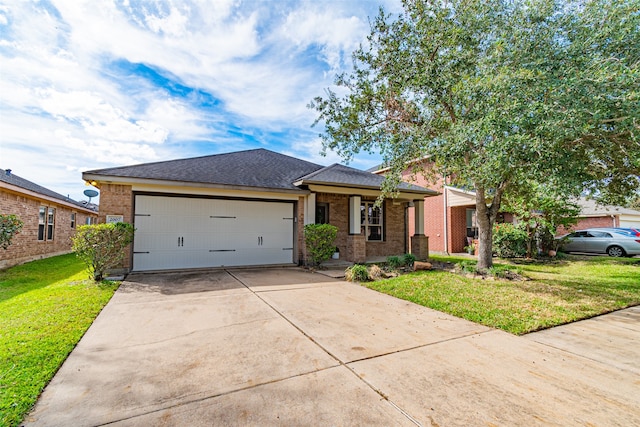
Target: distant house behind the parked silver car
{"type": "Point", "coordinates": [594, 215]}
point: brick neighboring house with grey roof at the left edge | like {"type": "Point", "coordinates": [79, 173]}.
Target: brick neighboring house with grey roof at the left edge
{"type": "Point", "coordinates": [49, 218]}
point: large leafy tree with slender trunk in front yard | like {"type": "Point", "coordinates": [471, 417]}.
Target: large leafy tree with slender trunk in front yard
{"type": "Point", "coordinates": [499, 93]}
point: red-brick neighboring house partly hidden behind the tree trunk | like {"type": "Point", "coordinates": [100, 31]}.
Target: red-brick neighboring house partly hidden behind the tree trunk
{"type": "Point", "coordinates": [450, 216]}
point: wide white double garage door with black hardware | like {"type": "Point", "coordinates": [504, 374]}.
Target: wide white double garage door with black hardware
{"type": "Point", "coordinates": [180, 232]}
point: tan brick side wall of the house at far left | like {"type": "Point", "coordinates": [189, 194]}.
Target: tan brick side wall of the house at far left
{"type": "Point", "coordinates": [25, 245]}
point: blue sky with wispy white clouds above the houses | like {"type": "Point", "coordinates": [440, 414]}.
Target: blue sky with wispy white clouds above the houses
{"type": "Point", "coordinates": [95, 84]}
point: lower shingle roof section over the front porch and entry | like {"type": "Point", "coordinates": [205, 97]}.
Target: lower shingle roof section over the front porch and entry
{"type": "Point", "coordinates": [343, 175]}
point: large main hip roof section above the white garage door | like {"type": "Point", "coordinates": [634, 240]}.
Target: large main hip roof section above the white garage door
{"type": "Point", "coordinates": [250, 168]}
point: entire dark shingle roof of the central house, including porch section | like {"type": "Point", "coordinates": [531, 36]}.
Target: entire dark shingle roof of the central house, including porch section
{"type": "Point", "coordinates": [259, 168]}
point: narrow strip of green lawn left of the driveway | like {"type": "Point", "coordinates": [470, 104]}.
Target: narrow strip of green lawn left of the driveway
{"type": "Point", "coordinates": [45, 308]}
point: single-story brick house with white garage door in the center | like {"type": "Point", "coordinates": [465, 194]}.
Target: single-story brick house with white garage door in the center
{"type": "Point", "coordinates": [249, 208]}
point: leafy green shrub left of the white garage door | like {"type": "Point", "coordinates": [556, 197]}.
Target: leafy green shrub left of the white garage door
{"type": "Point", "coordinates": [101, 246]}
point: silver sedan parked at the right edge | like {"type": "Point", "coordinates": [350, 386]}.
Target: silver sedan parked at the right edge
{"type": "Point", "coordinates": [601, 241]}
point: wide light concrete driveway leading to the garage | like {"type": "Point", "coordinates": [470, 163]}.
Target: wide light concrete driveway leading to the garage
{"type": "Point", "coordinates": [288, 347]}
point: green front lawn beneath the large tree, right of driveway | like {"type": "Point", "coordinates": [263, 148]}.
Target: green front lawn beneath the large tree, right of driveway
{"type": "Point", "coordinates": [557, 292]}
